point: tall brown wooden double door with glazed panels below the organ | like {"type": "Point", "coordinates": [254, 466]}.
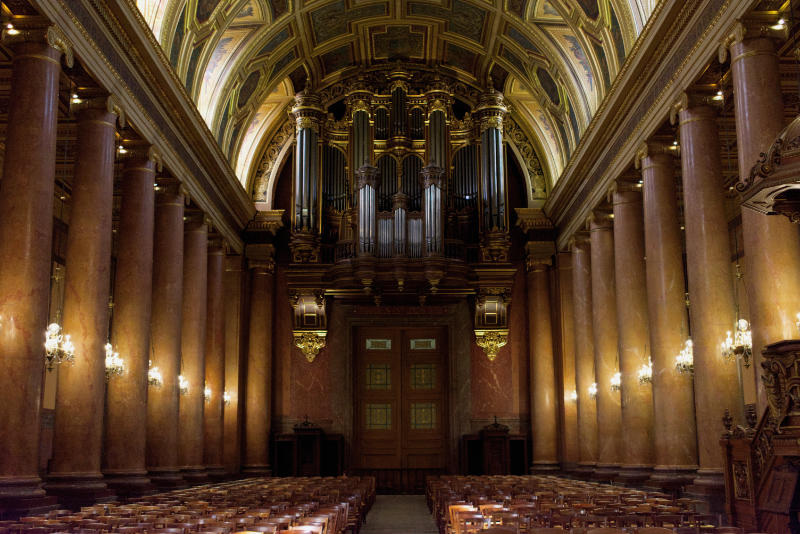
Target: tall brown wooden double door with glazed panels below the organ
{"type": "Point", "coordinates": [401, 402]}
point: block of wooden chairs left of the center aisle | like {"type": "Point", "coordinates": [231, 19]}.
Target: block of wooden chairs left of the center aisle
{"type": "Point", "coordinates": [311, 505]}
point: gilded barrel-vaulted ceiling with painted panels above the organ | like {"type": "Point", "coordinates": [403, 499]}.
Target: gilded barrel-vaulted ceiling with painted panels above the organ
{"type": "Point", "coordinates": [243, 60]}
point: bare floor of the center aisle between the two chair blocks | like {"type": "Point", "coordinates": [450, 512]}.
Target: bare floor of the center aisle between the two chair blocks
{"type": "Point", "coordinates": [406, 514]}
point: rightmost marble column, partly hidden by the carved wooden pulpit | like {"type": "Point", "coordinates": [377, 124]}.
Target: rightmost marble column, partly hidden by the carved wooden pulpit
{"type": "Point", "coordinates": [771, 244]}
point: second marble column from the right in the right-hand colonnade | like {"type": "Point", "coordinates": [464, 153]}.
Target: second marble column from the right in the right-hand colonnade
{"type": "Point", "coordinates": [708, 266]}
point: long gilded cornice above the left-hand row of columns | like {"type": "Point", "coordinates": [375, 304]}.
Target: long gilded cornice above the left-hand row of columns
{"type": "Point", "coordinates": [117, 47]}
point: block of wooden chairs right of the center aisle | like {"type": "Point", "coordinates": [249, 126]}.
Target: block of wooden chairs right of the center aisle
{"type": "Point", "coordinates": [527, 504]}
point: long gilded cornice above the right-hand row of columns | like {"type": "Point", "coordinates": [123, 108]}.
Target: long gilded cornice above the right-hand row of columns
{"type": "Point", "coordinates": [670, 53]}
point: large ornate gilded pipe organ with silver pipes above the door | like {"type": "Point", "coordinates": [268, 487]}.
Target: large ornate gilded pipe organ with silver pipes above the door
{"type": "Point", "coordinates": [400, 187]}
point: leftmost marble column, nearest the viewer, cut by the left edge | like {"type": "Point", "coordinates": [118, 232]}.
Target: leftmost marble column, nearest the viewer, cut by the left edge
{"type": "Point", "coordinates": [26, 192]}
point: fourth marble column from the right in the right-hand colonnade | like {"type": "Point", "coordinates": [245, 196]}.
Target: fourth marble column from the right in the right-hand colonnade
{"type": "Point", "coordinates": [634, 334]}
